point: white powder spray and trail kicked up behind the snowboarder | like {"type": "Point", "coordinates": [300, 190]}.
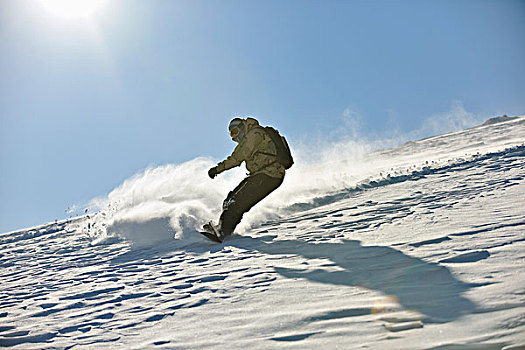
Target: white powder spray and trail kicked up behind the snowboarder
{"type": "Point", "coordinates": [173, 201]}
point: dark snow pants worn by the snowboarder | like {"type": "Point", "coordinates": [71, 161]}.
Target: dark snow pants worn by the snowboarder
{"type": "Point", "coordinates": [249, 192]}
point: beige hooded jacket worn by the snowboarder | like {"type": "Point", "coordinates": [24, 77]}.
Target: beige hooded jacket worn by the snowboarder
{"type": "Point", "coordinates": [257, 150]}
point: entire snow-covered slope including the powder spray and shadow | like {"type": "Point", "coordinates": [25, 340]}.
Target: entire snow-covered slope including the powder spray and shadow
{"type": "Point", "coordinates": [416, 247]}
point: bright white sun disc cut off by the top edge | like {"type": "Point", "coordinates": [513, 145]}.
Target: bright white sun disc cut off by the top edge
{"type": "Point", "coordinates": [72, 9]}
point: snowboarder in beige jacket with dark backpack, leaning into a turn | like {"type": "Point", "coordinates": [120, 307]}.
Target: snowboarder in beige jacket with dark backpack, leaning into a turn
{"type": "Point", "coordinates": [263, 153]}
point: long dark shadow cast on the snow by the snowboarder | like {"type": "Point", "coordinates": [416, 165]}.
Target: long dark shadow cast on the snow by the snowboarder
{"type": "Point", "coordinates": [427, 287]}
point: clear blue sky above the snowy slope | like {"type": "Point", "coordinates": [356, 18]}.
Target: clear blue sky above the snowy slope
{"type": "Point", "coordinates": [87, 102]}
